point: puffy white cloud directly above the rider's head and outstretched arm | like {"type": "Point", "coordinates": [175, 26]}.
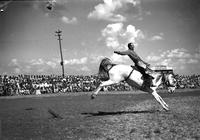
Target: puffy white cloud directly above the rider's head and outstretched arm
{"type": "Point", "coordinates": [116, 37]}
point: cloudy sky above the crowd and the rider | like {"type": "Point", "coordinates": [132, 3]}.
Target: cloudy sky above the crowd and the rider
{"type": "Point", "coordinates": [165, 32]}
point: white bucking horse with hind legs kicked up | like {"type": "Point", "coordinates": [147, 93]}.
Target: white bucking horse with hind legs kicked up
{"type": "Point", "coordinates": [117, 73]}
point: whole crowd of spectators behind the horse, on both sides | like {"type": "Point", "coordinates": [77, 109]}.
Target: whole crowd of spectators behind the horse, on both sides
{"type": "Point", "coordinates": [43, 84]}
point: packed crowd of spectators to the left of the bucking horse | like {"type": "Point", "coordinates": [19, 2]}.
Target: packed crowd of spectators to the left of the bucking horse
{"type": "Point", "coordinates": [42, 84]}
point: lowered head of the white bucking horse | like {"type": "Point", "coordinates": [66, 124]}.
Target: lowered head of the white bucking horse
{"type": "Point", "coordinates": [170, 82]}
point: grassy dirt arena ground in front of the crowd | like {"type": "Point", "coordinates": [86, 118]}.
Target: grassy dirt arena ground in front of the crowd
{"type": "Point", "coordinates": [108, 117]}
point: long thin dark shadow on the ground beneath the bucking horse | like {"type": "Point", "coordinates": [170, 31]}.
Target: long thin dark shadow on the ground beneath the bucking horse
{"type": "Point", "coordinates": [102, 113]}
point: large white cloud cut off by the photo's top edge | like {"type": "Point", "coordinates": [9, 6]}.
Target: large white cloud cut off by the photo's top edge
{"type": "Point", "coordinates": [107, 10]}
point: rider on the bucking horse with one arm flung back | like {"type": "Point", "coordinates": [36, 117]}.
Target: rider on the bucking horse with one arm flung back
{"type": "Point", "coordinates": [142, 66]}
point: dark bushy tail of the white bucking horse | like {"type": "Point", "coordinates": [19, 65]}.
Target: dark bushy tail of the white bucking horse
{"type": "Point", "coordinates": [103, 71]}
